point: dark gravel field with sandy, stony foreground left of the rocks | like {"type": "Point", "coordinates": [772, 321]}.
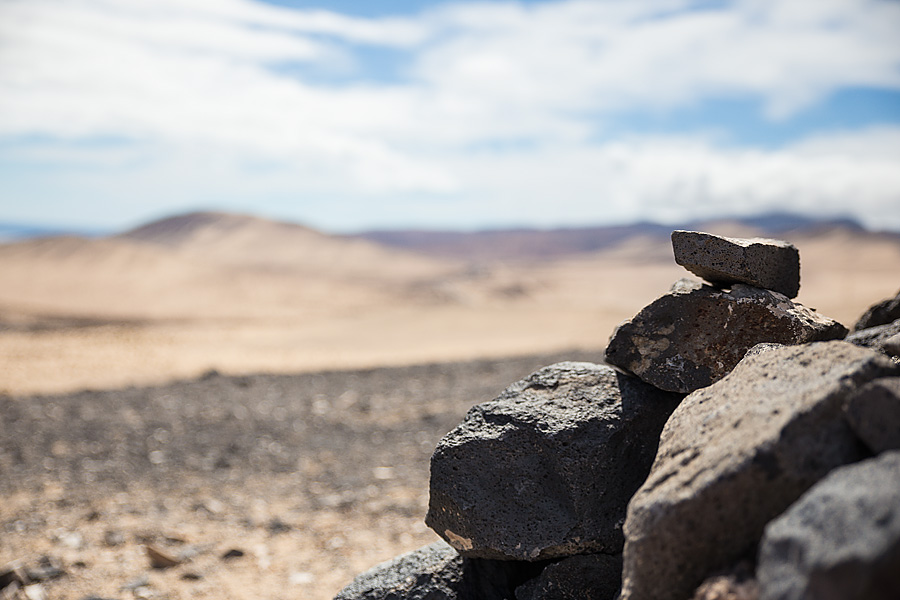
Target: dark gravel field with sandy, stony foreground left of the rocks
{"type": "Point", "coordinates": [306, 479]}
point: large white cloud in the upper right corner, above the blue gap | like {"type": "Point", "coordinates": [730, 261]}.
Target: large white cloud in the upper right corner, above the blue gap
{"type": "Point", "coordinates": [609, 56]}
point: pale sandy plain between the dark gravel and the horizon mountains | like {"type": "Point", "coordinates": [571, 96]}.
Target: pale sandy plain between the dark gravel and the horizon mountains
{"type": "Point", "coordinates": [243, 295]}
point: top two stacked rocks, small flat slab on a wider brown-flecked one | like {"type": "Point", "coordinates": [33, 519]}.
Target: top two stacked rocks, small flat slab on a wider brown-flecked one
{"type": "Point", "coordinates": [694, 335]}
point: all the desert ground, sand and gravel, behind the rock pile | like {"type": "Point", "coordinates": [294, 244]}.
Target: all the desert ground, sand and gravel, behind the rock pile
{"type": "Point", "coordinates": [216, 382]}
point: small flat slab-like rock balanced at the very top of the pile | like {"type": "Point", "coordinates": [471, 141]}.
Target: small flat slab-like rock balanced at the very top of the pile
{"type": "Point", "coordinates": [763, 263]}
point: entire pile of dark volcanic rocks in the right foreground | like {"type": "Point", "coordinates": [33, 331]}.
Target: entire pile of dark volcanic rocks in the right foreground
{"type": "Point", "coordinates": [739, 451]}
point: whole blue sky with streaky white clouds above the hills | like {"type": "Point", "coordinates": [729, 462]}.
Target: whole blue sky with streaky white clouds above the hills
{"type": "Point", "coordinates": [353, 115]}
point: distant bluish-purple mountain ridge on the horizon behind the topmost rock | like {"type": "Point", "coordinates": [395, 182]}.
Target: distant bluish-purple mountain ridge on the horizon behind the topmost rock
{"type": "Point", "coordinates": [547, 244]}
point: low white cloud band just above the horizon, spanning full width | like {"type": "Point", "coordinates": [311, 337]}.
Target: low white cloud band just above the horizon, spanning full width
{"type": "Point", "coordinates": [667, 179]}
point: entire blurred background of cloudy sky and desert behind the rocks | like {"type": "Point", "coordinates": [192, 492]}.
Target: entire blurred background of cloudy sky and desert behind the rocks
{"type": "Point", "coordinates": [257, 256]}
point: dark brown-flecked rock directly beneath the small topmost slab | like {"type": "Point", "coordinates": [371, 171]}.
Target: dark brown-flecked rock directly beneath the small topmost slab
{"type": "Point", "coordinates": [694, 335]}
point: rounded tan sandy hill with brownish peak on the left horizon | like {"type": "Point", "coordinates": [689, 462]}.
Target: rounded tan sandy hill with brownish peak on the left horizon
{"type": "Point", "coordinates": [203, 265]}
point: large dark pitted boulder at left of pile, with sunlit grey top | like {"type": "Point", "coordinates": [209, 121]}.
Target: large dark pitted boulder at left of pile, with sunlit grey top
{"type": "Point", "coordinates": [547, 468]}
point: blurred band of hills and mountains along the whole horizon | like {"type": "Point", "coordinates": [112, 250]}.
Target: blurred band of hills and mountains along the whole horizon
{"type": "Point", "coordinates": [265, 243]}
